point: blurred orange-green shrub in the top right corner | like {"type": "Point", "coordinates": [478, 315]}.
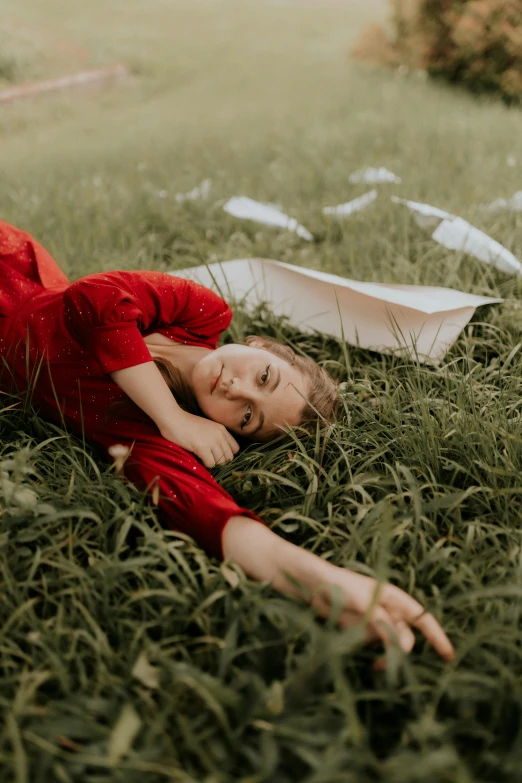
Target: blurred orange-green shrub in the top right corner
{"type": "Point", "coordinates": [474, 42]}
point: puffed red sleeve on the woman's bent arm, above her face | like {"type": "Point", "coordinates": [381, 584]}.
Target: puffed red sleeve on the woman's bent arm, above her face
{"type": "Point", "coordinates": [107, 313]}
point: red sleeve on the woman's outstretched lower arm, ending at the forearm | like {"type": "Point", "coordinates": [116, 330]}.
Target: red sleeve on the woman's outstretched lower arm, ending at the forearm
{"type": "Point", "coordinates": [188, 498]}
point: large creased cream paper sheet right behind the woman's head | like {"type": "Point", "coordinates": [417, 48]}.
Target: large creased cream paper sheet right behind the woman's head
{"type": "Point", "coordinates": [417, 321]}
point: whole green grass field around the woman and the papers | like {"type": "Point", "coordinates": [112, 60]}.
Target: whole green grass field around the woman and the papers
{"type": "Point", "coordinates": [420, 481]}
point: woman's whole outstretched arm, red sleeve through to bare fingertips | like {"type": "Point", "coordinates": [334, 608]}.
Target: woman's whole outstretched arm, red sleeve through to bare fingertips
{"type": "Point", "coordinates": [190, 500]}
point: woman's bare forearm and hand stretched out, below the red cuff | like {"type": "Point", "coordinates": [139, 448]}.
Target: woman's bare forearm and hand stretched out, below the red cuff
{"type": "Point", "coordinates": [265, 556]}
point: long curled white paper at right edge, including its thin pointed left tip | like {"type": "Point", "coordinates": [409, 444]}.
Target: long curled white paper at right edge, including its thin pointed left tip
{"type": "Point", "coordinates": [455, 233]}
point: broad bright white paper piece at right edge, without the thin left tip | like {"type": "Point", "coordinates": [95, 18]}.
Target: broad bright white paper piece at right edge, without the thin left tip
{"type": "Point", "coordinates": [458, 234]}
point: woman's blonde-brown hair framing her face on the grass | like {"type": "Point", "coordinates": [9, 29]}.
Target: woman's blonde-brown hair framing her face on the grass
{"type": "Point", "coordinates": [319, 407]}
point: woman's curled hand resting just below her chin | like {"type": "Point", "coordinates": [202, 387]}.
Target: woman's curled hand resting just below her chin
{"type": "Point", "coordinates": [211, 442]}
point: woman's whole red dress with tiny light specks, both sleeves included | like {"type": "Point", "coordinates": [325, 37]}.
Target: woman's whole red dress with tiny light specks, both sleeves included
{"type": "Point", "coordinates": [75, 334]}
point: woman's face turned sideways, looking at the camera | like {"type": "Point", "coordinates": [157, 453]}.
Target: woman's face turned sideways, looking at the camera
{"type": "Point", "coordinates": [249, 390]}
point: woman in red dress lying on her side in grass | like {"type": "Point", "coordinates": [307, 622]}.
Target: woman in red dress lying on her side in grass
{"type": "Point", "coordinates": [87, 347]}
